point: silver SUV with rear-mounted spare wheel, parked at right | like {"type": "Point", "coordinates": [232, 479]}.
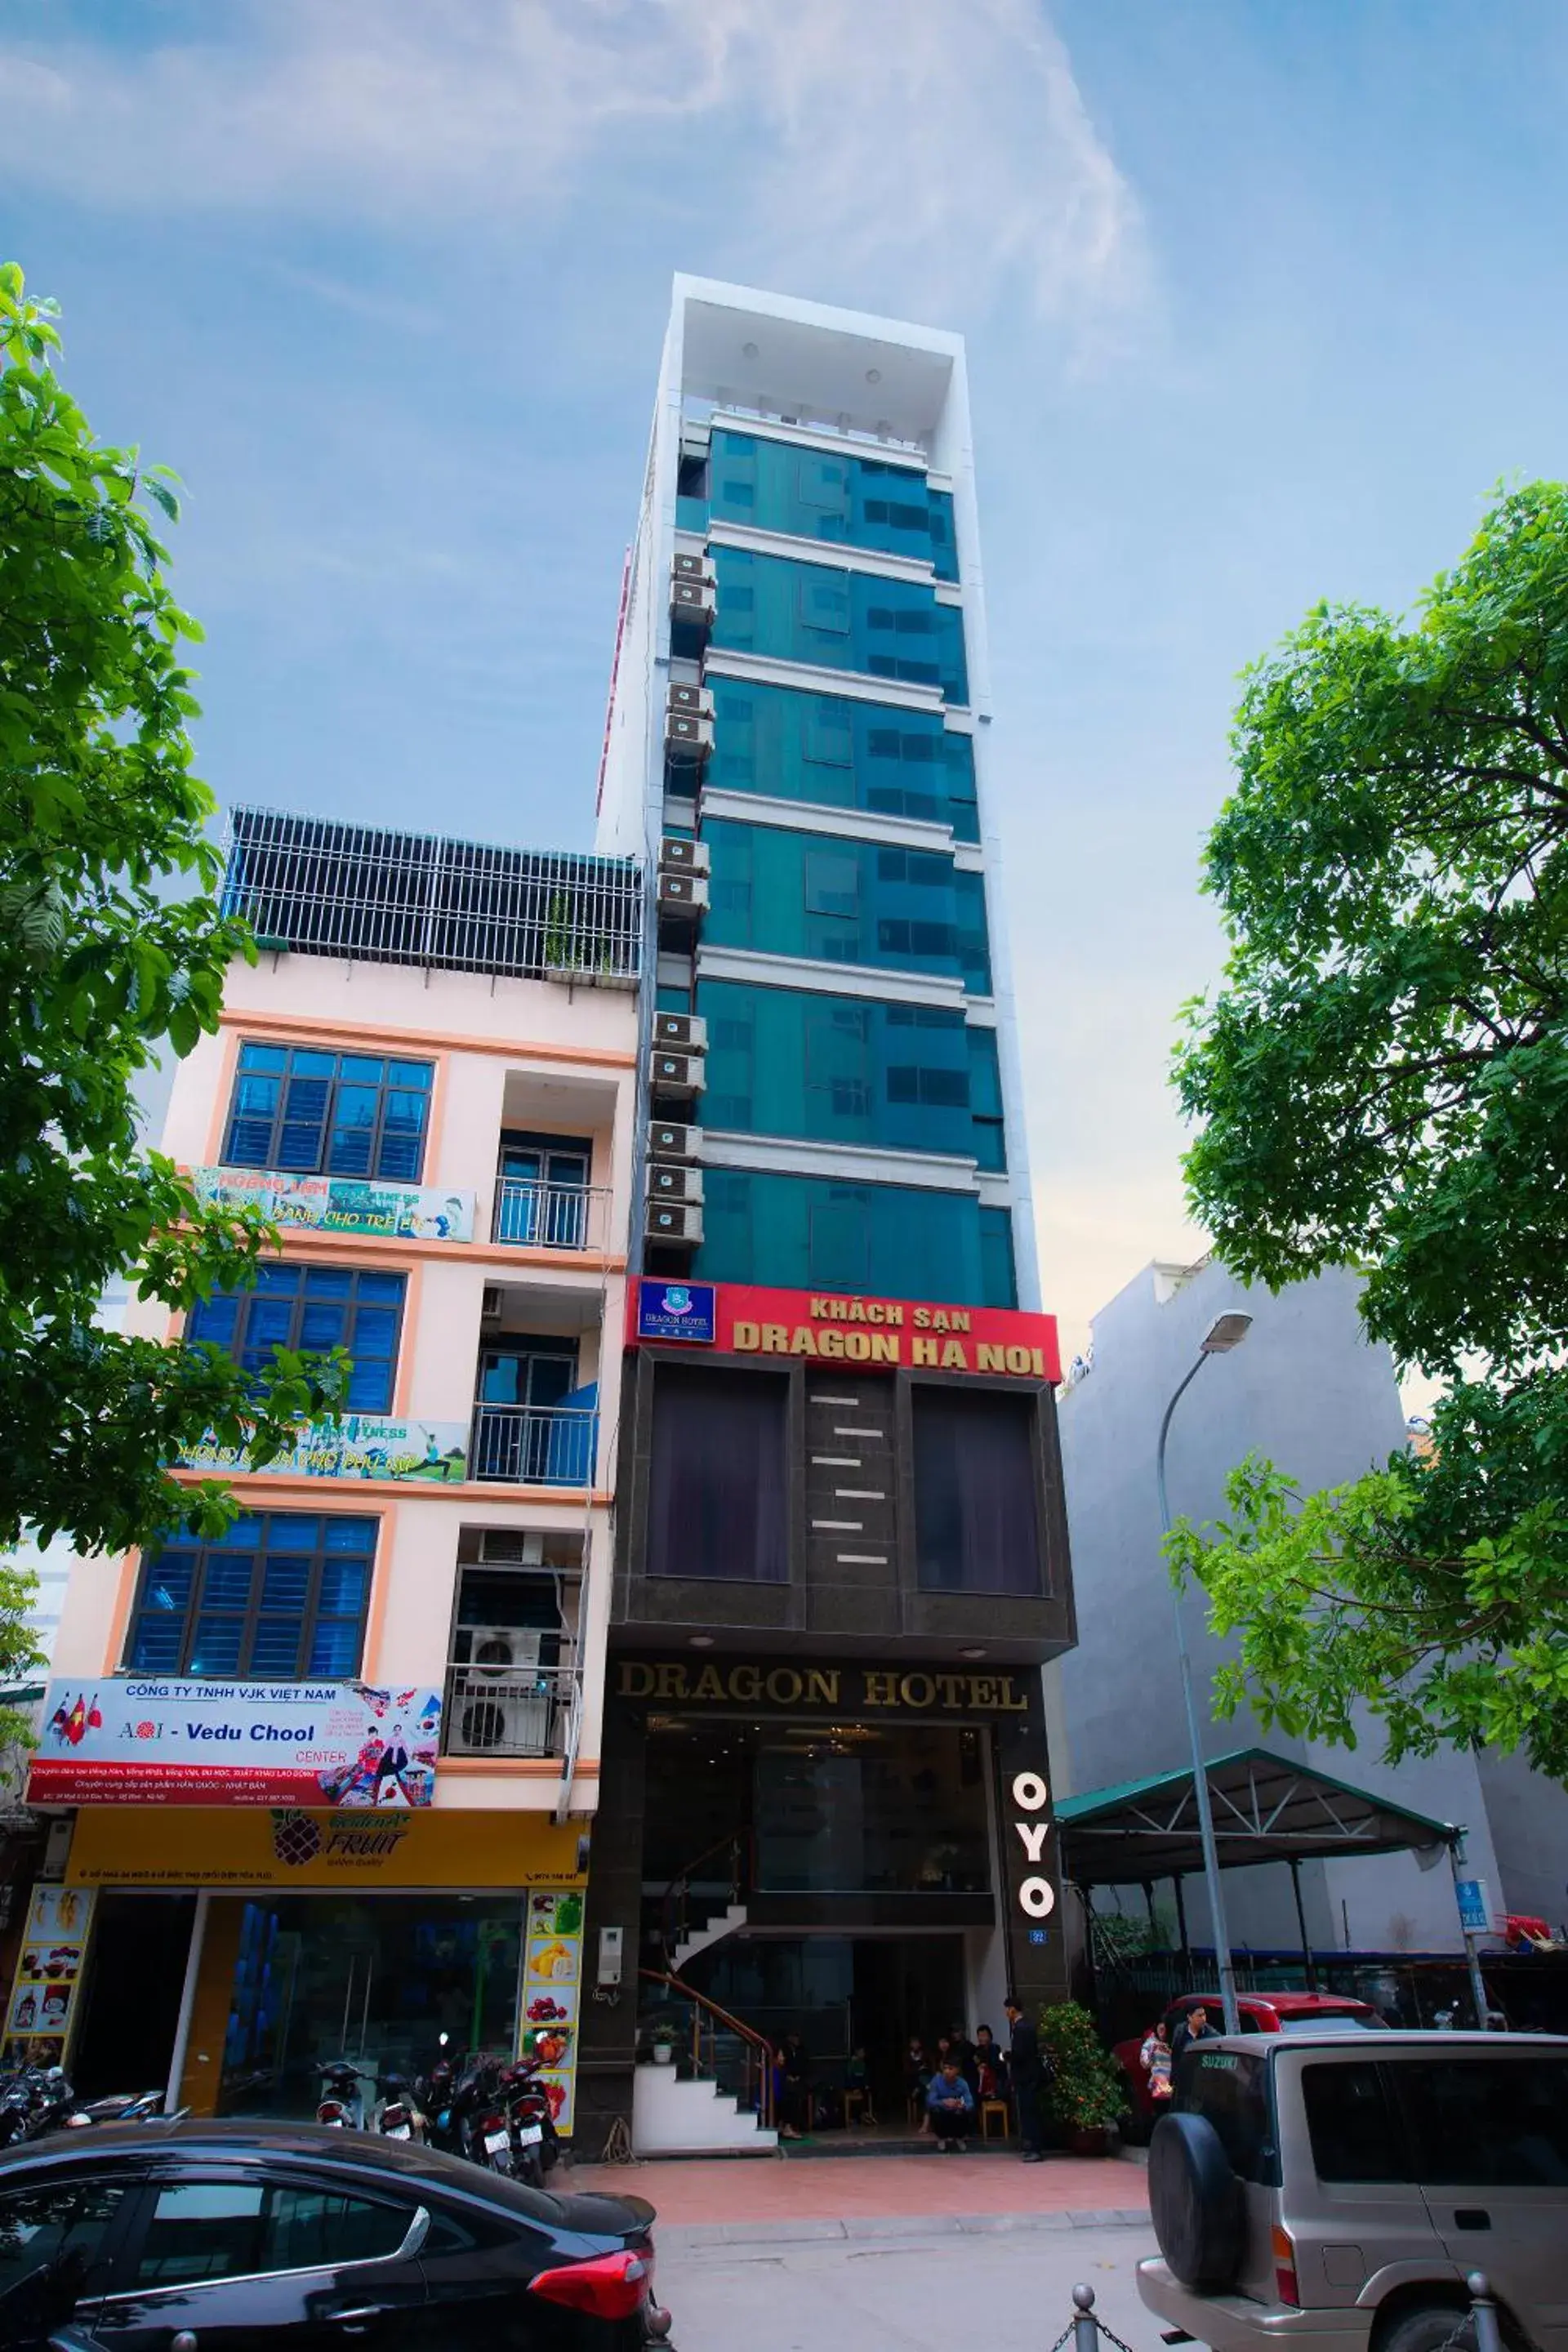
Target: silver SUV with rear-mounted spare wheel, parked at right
{"type": "Point", "coordinates": [1341, 2193]}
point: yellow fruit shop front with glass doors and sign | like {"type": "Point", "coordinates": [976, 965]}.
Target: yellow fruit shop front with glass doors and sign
{"type": "Point", "coordinates": [236, 1949]}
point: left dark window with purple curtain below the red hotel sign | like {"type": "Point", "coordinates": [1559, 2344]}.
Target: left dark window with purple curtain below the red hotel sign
{"type": "Point", "coordinates": [718, 1481]}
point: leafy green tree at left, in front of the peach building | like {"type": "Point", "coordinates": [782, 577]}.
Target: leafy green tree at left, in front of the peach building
{"type": "Point", "coordinates": [112, 949]}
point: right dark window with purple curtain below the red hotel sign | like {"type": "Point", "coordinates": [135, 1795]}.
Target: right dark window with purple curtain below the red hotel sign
{"type": "Point", "coordinates": [974, 1492]}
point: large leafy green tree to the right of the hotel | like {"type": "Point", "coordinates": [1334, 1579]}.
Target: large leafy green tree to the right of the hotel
{"type": "Point", "coordinates": [1383, 1083]}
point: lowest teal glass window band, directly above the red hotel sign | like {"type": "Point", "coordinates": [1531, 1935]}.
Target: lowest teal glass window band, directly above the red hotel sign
{"type": "Point", "coordinates": [812, 1231]}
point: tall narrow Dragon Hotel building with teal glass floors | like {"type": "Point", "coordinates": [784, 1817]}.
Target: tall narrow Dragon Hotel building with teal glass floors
{"type": "Point", "coordinates": [840, 1551]}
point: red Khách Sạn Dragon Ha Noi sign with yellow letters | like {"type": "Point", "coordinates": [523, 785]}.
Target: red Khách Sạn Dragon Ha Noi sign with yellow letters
{"type": "Point", "coordinates": [847, 1328]}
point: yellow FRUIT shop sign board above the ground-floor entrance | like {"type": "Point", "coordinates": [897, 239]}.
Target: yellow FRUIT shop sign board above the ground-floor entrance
{"type": "Point", "coordinates": [361, 1852]}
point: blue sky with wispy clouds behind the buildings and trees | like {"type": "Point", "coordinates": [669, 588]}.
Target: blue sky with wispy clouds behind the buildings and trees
{"type": "Point", "coordinates": [1261, 300]}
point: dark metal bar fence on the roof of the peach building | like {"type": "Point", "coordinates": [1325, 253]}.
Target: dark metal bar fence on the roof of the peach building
{"type": "Point", "coordinates": [380, 897]}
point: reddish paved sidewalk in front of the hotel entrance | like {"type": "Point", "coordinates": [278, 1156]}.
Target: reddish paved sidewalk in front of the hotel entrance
{"type": "Point", "coordinates": [876, 2198]}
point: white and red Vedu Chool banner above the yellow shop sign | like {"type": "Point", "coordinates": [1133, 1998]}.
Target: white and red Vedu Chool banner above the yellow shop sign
{"type": "Point", "coordinates": [311, 1744]}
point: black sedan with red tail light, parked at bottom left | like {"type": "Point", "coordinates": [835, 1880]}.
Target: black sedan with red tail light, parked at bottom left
{"type": "Point", "coordinates": [236, 2238]}
